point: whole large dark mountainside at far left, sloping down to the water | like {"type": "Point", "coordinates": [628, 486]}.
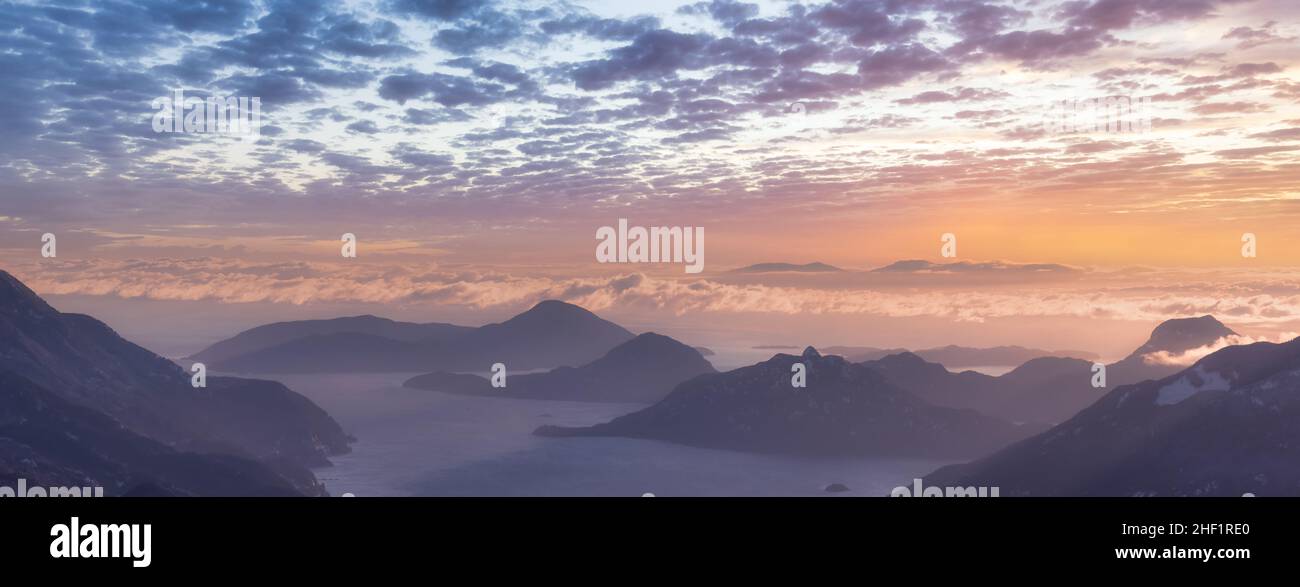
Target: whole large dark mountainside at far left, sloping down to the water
{"type": "Point", "coordinates": [71, 372]}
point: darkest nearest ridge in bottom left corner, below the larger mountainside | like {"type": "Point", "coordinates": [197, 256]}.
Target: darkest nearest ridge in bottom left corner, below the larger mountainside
{"type": "Point", "coordinates": [54, 443]}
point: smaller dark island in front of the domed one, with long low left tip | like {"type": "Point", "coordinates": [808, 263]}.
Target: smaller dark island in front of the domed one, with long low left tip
{"type": "Point", "coordinates": [642, 371]}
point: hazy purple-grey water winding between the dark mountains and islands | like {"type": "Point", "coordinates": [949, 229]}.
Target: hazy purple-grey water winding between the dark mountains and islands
{"type": "Point", "coordinates": [426, 443]}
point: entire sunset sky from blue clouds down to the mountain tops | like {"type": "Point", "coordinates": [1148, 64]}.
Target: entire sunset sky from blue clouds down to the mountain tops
{"type": "Point", "coordinates": [475, 150]}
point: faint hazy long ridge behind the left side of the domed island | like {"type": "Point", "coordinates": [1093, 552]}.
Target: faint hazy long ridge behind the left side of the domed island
{"type": "Point", "coordinates": [280, 333]}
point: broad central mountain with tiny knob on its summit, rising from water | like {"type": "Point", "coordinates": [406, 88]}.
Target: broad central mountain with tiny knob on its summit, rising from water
{"type": "Point", "coordinates": [846, 410]}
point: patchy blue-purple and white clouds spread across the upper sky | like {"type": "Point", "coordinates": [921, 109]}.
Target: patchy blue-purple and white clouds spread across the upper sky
{"type": "Point", "coordinates": [545, 111]}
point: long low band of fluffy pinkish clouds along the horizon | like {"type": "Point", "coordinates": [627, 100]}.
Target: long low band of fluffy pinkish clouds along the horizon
{"type": "Point", "coordinates": [1243, 299]}
